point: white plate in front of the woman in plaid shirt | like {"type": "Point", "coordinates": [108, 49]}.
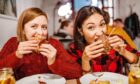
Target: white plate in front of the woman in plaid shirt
{"type": "Point", "coordinates": [114, 78]}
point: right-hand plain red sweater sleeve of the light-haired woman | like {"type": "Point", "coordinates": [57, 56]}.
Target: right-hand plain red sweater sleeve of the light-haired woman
{"type": "Point", "coordinates": [64, 65]}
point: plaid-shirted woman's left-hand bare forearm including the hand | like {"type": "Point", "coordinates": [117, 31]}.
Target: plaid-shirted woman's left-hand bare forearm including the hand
{"type": "Point", "coordinates": [90, 52]}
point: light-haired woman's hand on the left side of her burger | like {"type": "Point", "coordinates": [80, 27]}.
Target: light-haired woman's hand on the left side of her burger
{"type": "Point", "coordinates": [26, 47]}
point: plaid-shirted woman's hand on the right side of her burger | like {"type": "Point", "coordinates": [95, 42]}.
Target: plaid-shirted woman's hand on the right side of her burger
{"type": "Point", "coordinates": [117, 43]}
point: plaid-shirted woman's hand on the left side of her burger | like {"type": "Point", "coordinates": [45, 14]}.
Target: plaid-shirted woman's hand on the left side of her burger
{"type": "Point", "coordinates": [93, 50]}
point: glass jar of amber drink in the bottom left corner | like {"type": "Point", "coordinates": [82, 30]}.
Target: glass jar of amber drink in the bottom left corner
{"type": "Point", "coordinates": [6, 76]}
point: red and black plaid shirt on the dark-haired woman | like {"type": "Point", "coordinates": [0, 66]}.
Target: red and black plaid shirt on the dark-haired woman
{"type": "Point", "coordinates": [111, 62]}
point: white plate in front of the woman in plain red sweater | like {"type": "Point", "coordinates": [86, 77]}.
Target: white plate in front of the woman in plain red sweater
{"type": "Point", "coordinates": [48, 78]}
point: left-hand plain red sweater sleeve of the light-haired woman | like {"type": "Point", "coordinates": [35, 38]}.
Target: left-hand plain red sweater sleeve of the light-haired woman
{"type": "Point", "coordinates": [7, 55]}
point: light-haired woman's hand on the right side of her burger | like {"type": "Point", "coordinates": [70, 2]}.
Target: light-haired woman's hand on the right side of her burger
{"type": "Point", "coordinates": [49, 51]}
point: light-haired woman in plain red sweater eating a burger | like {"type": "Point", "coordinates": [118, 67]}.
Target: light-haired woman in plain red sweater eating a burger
{"type": "Point", "coordinates": [33, 52]}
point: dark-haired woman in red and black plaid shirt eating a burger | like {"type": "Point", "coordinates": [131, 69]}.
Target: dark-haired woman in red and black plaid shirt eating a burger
{"type": "Point", "coordinates": [93, 48]}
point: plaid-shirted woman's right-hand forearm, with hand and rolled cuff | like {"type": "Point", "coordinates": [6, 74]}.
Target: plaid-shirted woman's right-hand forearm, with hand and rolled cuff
{"type": "Point", "coordinates": [119, 45]}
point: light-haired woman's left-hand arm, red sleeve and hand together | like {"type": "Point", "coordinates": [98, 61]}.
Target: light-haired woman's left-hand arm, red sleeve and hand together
{"type": "Point", "coordinates": [13, 52]}
